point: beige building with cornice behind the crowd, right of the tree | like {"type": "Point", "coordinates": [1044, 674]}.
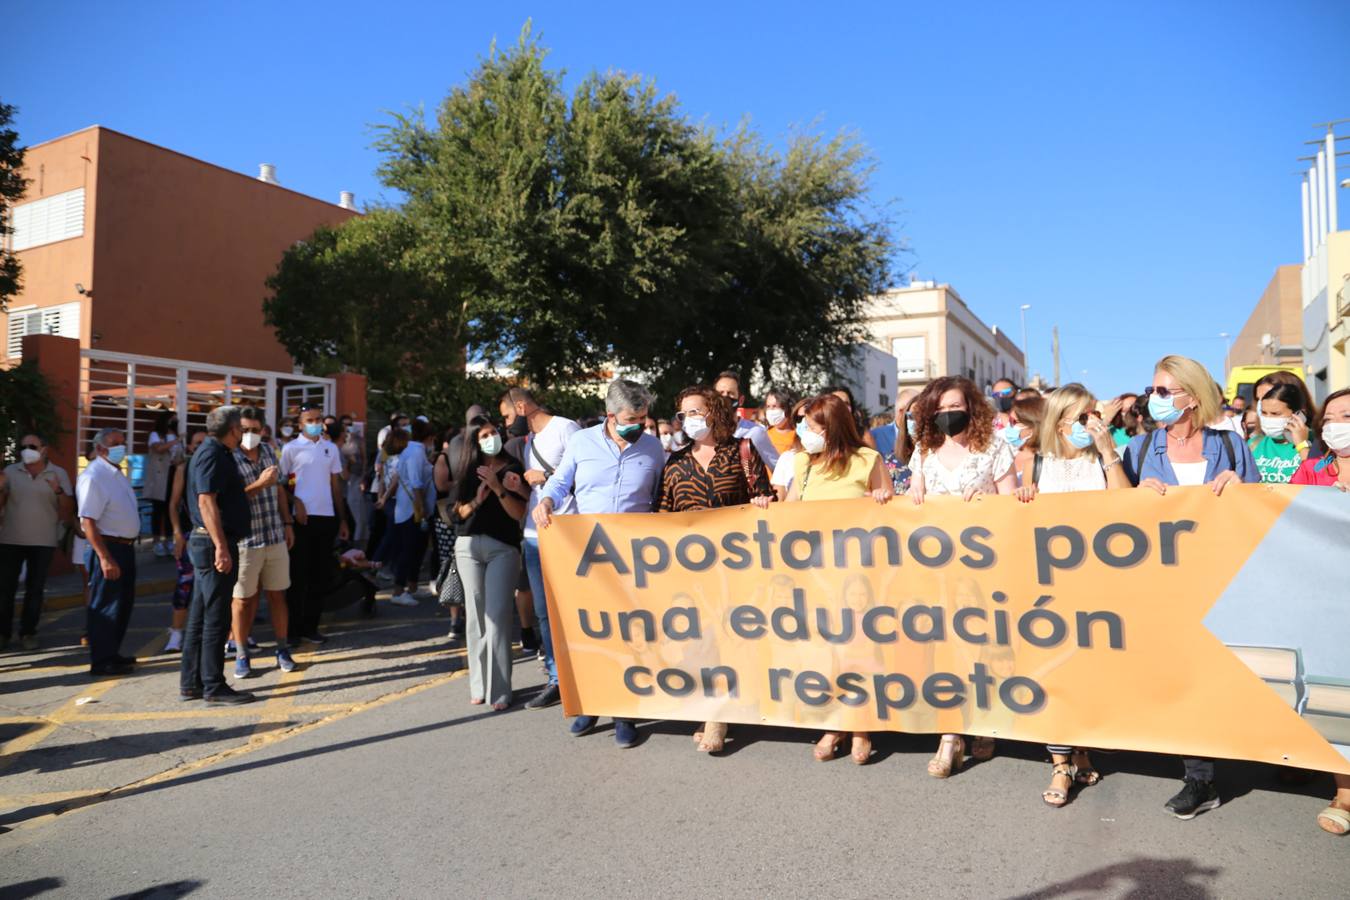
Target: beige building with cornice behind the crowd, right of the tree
{"type": "Point", "coordinates": [931, 331]}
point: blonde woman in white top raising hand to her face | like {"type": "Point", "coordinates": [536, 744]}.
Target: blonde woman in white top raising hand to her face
{"type": "Point", "coordinates": [1078, 454]}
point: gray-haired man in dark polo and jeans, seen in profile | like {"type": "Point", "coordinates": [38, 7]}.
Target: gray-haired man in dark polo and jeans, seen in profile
{"type": "Point", "coordinates": [221, 519]}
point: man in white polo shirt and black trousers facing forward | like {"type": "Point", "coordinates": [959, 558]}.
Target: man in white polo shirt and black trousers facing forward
{"type": "Point", "coordinates": [311, 466]}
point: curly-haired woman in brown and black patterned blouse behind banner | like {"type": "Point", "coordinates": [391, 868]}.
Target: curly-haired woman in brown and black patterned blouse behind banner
{"type": "Point", "coordinates": [713, 472]}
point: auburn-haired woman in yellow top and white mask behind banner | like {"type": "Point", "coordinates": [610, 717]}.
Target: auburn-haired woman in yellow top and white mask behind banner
{"type": "Point", "coordinates": [835, 466]}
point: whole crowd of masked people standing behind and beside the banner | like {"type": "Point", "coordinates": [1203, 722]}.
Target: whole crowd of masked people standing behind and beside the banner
{"type": "Point", "coordinates": [246, 513]}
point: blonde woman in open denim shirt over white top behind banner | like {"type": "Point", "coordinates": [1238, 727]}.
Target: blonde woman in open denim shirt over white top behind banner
{"type": "Point", "coordinates": [1183, 451]}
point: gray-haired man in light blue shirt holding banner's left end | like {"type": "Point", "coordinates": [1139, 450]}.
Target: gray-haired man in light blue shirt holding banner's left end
{"type": "Point", "coordinates": [614, 468]}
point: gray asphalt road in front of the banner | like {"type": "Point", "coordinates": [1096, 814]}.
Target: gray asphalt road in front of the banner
{"type": "Point", "coordinates": [422, 795]}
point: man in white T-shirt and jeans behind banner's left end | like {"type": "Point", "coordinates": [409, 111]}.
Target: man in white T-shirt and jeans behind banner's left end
{"type": "Point", "coordinates": [545, 449]}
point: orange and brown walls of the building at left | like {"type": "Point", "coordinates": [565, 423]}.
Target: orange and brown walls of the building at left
{"type": "Point", "coordinates": [175, 252]}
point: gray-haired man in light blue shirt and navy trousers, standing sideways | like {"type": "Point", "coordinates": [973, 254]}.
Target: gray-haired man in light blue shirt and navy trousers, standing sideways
{"type": "Point", "coordinates": [111, 524]}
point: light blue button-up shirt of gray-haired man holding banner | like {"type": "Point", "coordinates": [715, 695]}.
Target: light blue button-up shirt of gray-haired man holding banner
{"type": "Point", "coordinates": [605, 481]}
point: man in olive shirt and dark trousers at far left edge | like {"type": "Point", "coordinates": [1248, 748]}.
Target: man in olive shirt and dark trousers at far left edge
{"type": "Point", "coordinates": [36, 501]}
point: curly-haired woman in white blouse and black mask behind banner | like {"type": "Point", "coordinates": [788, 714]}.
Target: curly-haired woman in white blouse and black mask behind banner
{"type": "Point", "coordinates": [956, 453]}
